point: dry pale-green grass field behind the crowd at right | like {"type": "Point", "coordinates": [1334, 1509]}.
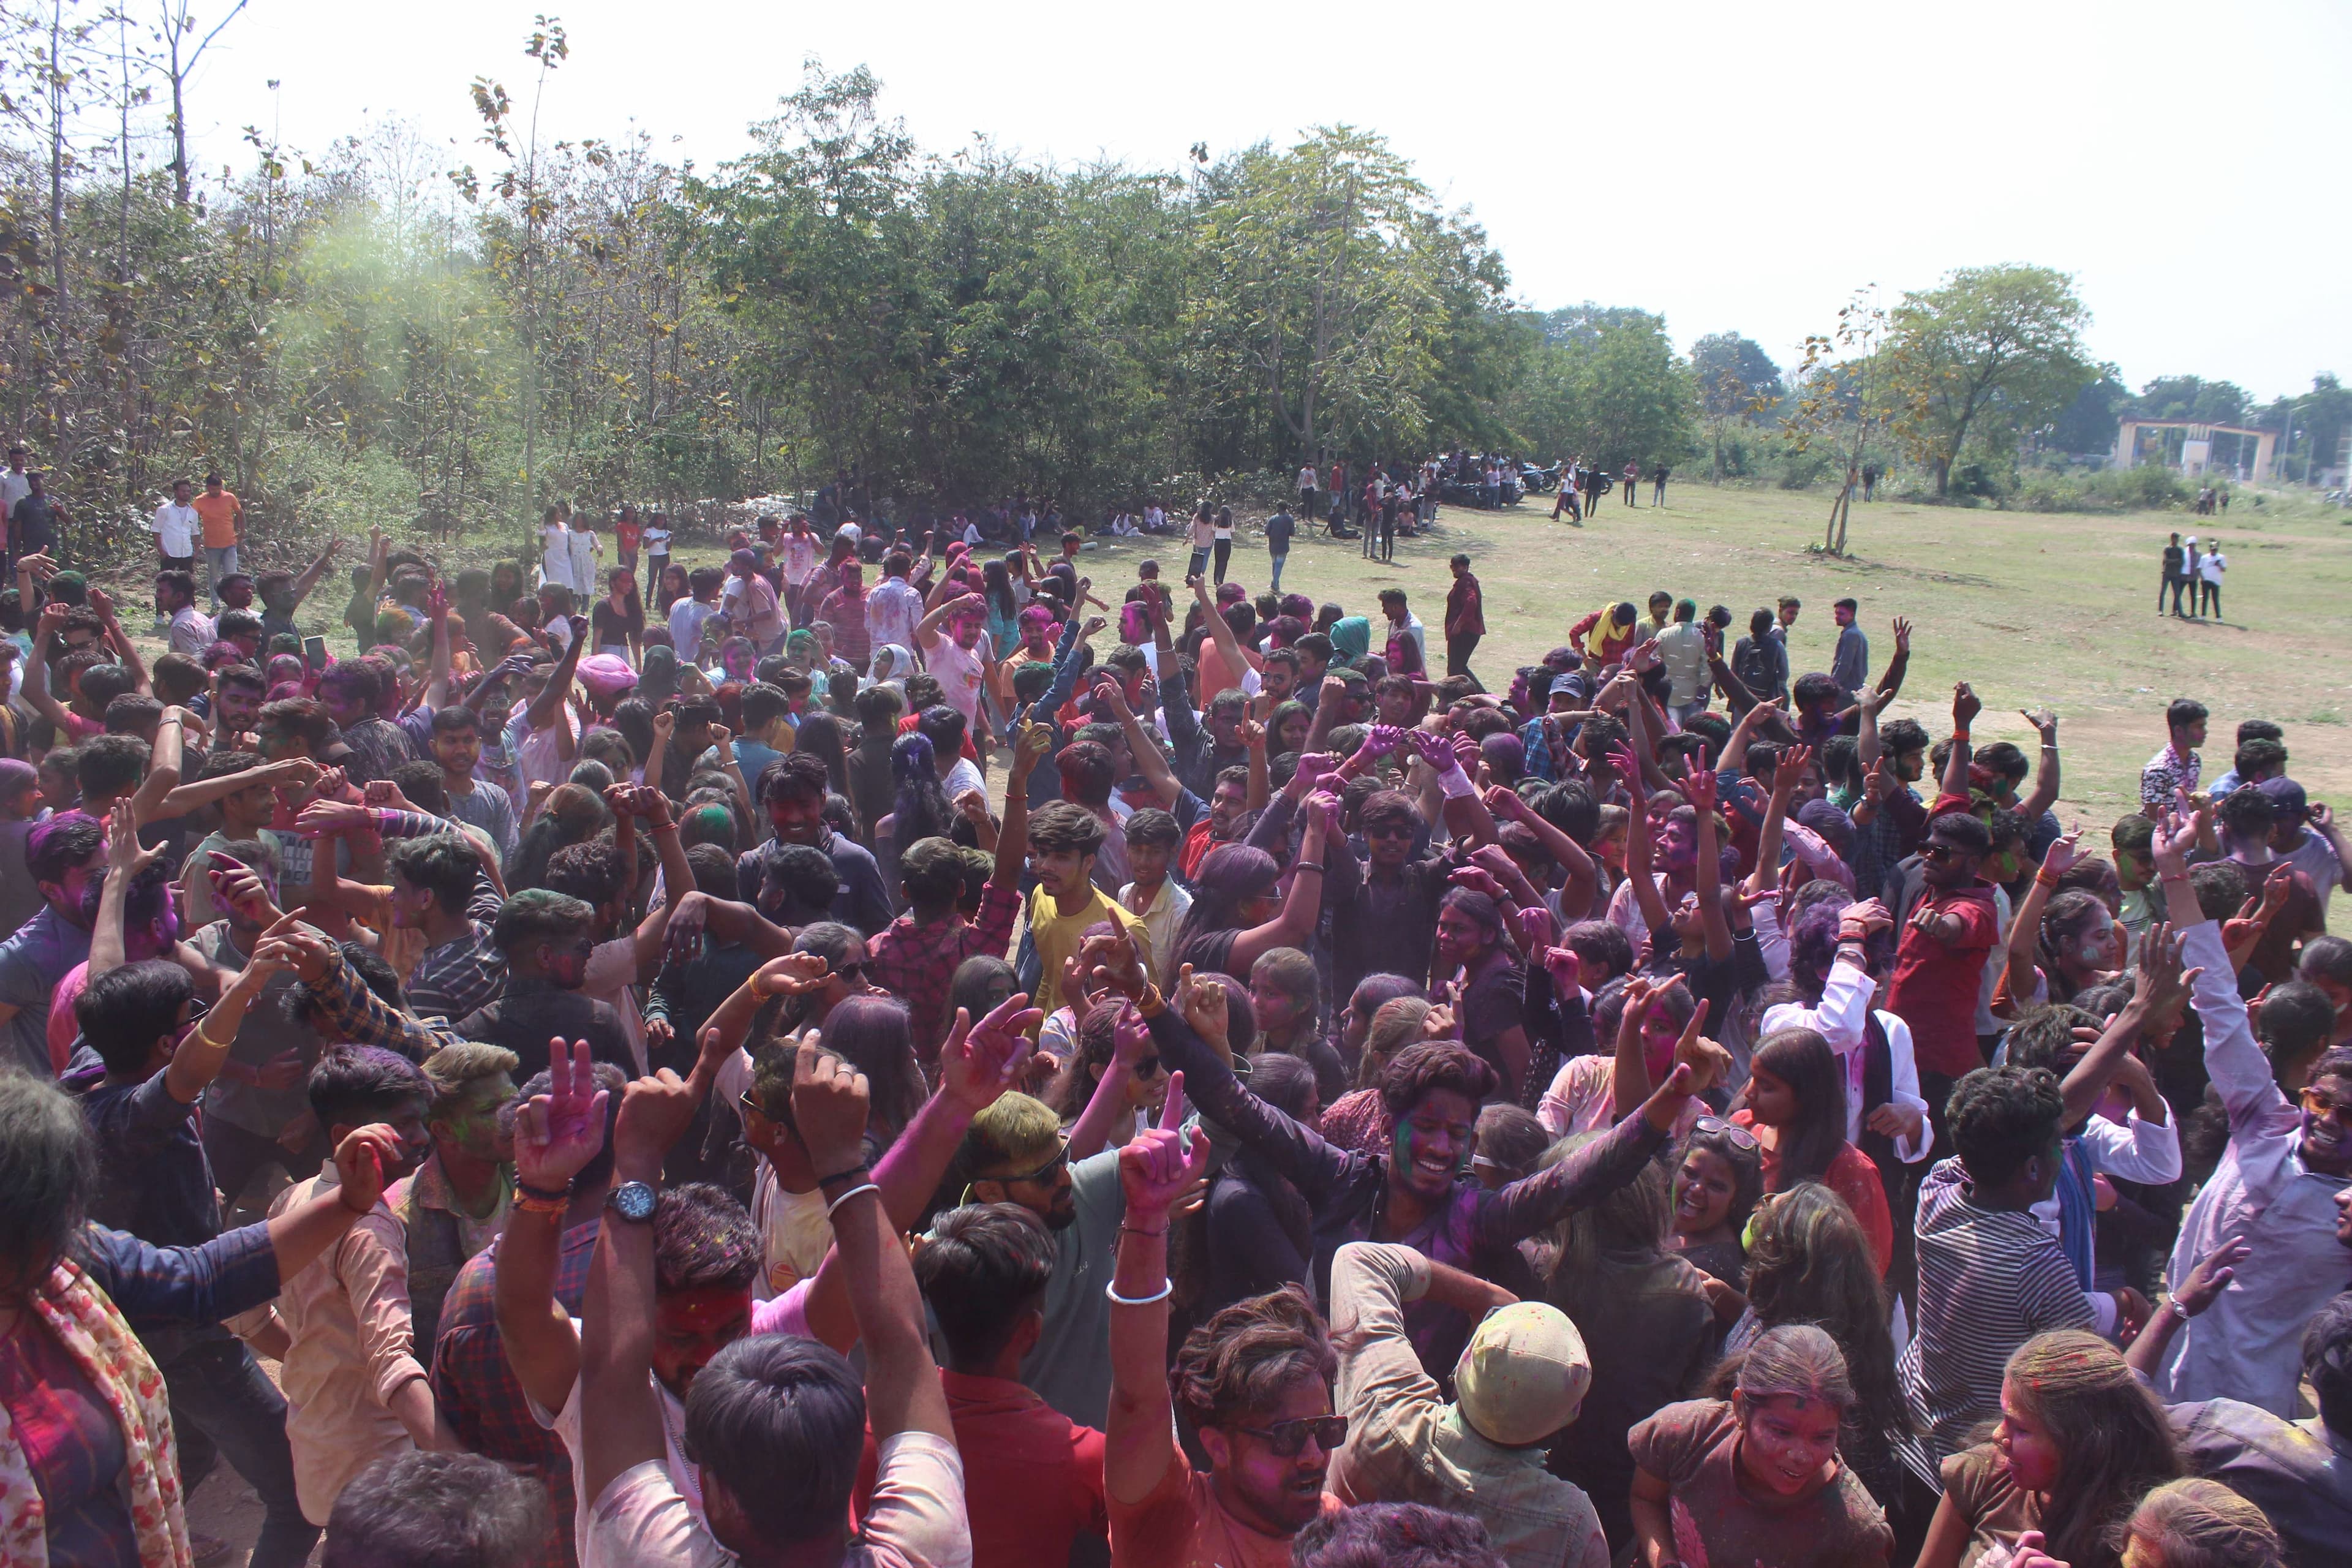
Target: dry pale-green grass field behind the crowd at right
{"type": "Point", "coordinates": [2033, 610]}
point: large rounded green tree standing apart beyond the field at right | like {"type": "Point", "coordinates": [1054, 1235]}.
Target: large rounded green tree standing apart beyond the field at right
{"type": "Point", "coordinates": [1984, 359]}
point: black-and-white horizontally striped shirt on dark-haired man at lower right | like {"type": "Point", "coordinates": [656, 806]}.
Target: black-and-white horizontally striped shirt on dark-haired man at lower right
{"type": "Point", "coordinates": [1989, 1282]}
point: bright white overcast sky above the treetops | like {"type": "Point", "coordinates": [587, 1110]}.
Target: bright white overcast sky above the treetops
{"type": "Point", "coordinates": [1728, 166]}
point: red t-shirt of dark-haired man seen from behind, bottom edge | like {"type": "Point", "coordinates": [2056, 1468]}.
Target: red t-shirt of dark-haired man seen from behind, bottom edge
{"type": "Point", "coordinates": [1034, 1480]}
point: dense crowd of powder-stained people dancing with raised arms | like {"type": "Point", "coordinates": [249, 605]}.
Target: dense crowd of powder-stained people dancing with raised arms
{"type": "Point", "coordinates": [890, 1052]}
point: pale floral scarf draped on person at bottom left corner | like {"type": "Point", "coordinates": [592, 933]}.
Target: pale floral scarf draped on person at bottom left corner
{"type": "Point", "coordinates": [93, 1332]}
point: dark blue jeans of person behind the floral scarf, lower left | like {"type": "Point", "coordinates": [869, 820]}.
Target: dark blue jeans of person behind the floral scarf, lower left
{"type": "Point", "coordinates": [225, 1407]}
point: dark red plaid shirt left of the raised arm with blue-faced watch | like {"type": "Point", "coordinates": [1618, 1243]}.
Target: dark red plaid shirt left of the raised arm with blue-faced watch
{"type": "Point", "coordinates": [486, 1402]}
